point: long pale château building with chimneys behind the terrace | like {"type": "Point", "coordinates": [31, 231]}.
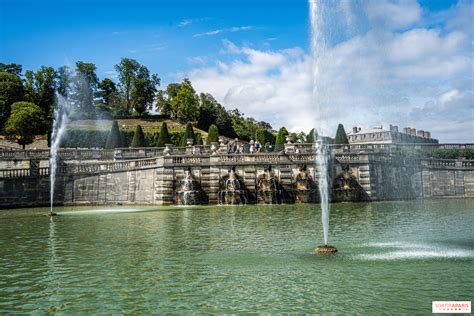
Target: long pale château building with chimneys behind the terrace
{"type": "Point", "coordinates": [379, 135]}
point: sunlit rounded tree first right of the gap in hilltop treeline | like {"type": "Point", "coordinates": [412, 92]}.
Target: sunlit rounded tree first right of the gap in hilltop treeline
{"type": "Point", "coordinates": [185, 104]}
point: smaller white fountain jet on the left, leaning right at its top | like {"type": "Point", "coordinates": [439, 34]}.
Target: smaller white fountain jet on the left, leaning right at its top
{"type": "Point", "coordinates": [61, 119]}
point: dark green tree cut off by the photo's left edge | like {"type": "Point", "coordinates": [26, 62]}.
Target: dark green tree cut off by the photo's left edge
{"type": "Point", "coordinates": [11, 91]}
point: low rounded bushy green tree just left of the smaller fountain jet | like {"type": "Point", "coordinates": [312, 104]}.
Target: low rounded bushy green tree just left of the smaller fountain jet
{"type": "Point", "coordinates": [25, 121]}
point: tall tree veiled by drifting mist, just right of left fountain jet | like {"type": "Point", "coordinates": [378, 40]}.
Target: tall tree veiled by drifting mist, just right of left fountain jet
{"type": "Point", "coordinates": [86, 82]}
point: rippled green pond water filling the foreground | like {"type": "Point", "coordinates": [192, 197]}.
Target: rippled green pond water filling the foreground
{"type": "Point", "coordinates": [394, 257]}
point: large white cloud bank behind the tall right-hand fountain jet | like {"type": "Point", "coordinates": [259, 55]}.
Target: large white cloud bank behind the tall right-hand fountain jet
{"type": "Point", "coordinates": [418, 77]}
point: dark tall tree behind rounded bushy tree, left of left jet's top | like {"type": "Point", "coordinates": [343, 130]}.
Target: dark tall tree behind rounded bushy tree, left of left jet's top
{"type": "Point", "coordinates": [40, 87]}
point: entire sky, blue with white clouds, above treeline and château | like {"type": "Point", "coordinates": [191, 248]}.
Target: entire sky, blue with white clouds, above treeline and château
{"type": "Point", "coordinates": [405, 62]}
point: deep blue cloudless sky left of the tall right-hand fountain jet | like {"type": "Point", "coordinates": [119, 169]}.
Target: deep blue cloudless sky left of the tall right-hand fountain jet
{"type": "Point", "coordinates": [164, 35]}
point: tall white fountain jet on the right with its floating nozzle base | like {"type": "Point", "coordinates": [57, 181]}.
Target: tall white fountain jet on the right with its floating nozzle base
{"type": "Point", "coordinates": [318, 47]}
